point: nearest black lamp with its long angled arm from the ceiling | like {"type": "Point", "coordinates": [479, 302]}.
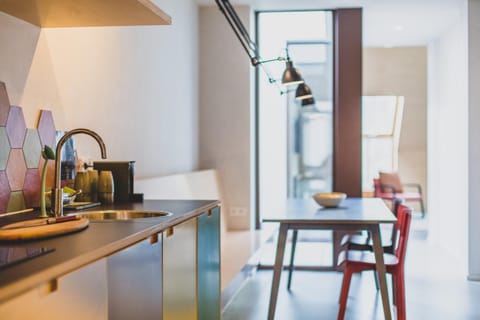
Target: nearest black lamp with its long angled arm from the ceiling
{"type": "Point", "coordinates": [291, 76]}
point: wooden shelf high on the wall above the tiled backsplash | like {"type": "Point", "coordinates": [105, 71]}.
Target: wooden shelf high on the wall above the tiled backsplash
{"type": "Point", "coordinates": [86, 13]}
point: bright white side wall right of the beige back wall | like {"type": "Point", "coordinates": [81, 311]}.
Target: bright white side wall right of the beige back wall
{"type": "Point", "coordinates": [448, 139]}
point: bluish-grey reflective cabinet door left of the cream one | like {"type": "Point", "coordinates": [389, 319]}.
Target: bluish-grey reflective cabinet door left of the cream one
{"type": "Point", "coordinates": [135, 281]}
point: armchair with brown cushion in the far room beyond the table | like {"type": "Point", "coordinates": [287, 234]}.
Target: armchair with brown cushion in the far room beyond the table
{"type": "Point", "coordinates": [389, 187]}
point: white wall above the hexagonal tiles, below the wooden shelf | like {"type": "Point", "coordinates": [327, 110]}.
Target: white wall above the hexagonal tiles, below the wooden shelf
{"type": "Point", "coordinates": [136, 86]}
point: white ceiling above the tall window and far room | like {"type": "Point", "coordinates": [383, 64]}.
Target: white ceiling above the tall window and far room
{"type": "Point", "coordinates": [386, 23]}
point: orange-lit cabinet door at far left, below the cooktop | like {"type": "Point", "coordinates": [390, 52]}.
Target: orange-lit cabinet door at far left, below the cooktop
{"type": "Point", "coordinates": [81, 295]}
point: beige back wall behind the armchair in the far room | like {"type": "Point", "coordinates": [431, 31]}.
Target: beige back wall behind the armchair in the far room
{"type": "Point", "coordinates": [403, 72]}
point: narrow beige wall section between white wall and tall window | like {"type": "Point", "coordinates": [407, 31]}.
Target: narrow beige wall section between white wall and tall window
{"type": "Point", "coordinates": [225, 110]}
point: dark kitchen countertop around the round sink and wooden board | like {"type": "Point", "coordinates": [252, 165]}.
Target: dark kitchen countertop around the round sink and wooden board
{"type": "Point", "coordinates": [99, 240]}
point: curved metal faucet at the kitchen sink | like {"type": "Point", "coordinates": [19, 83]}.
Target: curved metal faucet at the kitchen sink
{"type": "Point", "coordinates": [57, 200]}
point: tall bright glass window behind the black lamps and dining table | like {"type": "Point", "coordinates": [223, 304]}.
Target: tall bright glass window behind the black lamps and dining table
{"type": "Point", "coordinates": [295, 140]}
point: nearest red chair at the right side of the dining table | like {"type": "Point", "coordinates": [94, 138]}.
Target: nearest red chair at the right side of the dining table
{"type": "Point", "coordinates": [358, 261]}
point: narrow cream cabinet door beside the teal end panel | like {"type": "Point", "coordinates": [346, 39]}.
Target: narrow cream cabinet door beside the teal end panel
{"type": "Point", "coordinates": [179, 272]}
